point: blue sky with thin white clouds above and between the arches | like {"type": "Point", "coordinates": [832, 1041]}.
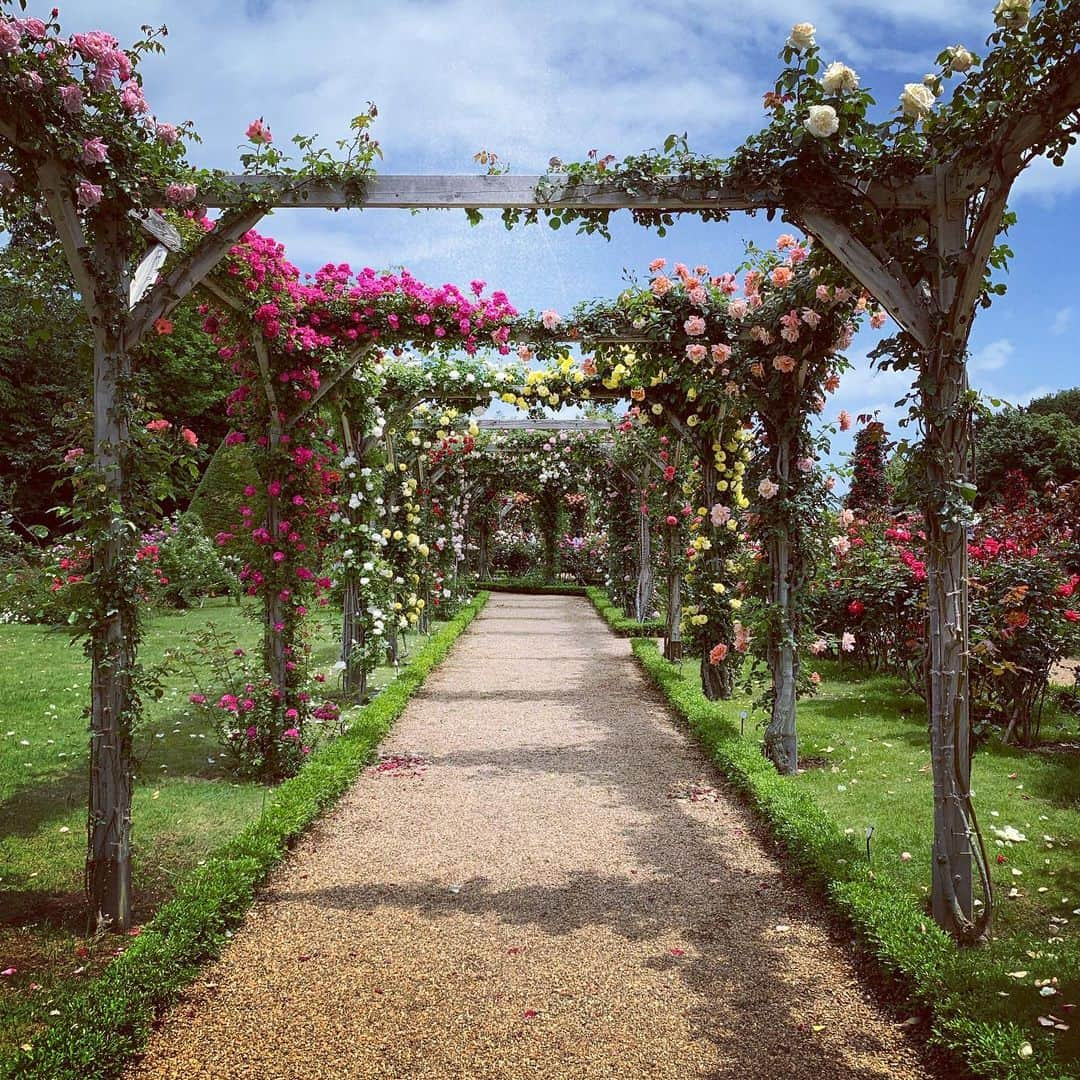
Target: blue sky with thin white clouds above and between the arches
{"type": "Point", "coordinates": [531, 80]}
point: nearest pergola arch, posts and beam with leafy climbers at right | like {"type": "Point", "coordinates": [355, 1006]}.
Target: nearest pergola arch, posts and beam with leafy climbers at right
{"type": "Point", "coordinates": [920, 238]}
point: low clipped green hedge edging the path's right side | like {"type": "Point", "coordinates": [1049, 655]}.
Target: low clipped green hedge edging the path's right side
{"type": "Point", "coordinates": [903, 938]}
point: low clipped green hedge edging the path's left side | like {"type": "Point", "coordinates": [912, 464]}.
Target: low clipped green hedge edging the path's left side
{"type": "Point", "coordinates": [110, 1021]}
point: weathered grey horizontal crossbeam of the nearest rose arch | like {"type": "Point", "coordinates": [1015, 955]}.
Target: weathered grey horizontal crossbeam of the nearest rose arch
{"type": "Point", "coordinates": [391, 192]}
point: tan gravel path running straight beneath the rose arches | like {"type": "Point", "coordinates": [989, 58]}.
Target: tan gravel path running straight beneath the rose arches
{"type": "Point", "coordinates": [544, 879]}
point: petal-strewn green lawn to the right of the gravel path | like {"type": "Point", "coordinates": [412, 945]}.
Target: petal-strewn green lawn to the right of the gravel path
{"type": "Point", "coordinates": [866, 751]}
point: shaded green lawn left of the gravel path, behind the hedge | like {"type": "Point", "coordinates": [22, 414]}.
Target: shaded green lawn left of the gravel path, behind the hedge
{"type": "Point", "coordinates": [185, 805]}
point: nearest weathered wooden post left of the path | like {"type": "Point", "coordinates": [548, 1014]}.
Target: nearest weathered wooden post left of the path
{"type": "Point", "coordinates": [113, 641]}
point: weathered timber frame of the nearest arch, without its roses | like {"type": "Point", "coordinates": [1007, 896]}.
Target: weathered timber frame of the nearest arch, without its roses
{"type": "Point", "coordinates": [958, 207]}
